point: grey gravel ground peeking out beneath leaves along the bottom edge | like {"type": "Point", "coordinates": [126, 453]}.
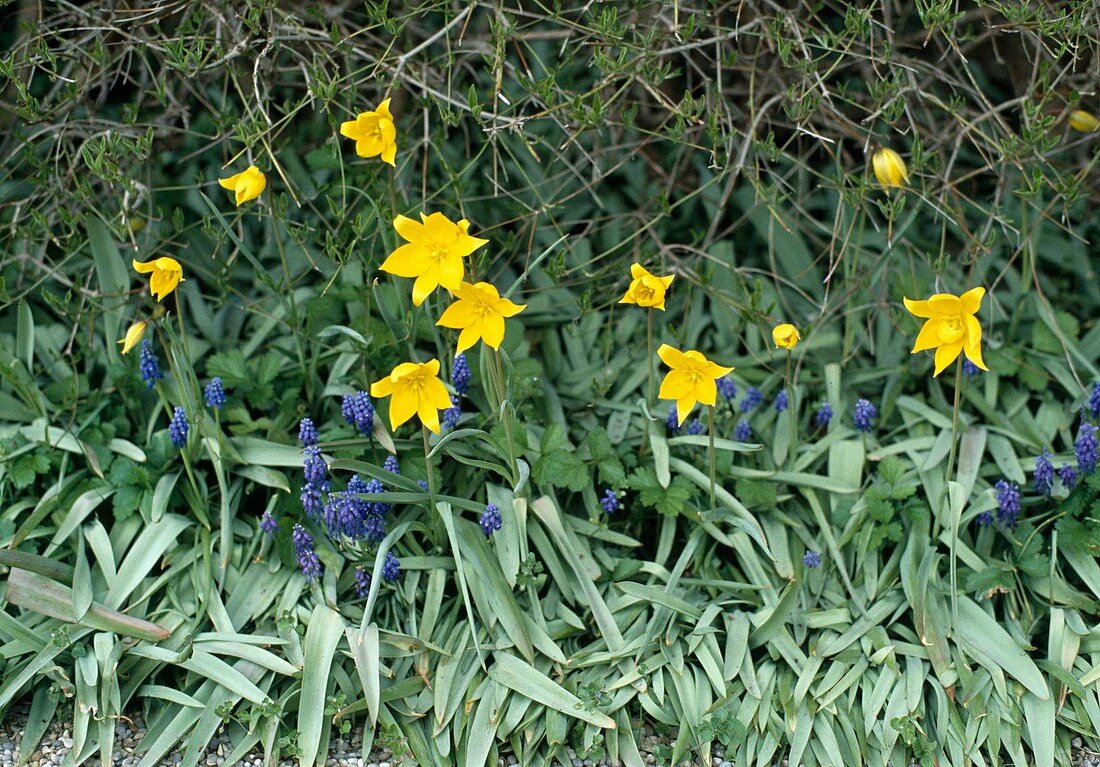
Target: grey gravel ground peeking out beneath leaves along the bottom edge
{"type": "Point", "coordinates": [348, 752]}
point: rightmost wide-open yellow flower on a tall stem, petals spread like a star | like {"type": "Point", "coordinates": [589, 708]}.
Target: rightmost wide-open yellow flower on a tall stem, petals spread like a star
{"type": "Point", "coordinates": [951, 328]}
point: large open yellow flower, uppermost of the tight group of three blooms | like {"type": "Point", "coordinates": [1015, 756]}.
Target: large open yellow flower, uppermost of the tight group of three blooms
{"type": "Point", "coordinates": [434, 255]}
